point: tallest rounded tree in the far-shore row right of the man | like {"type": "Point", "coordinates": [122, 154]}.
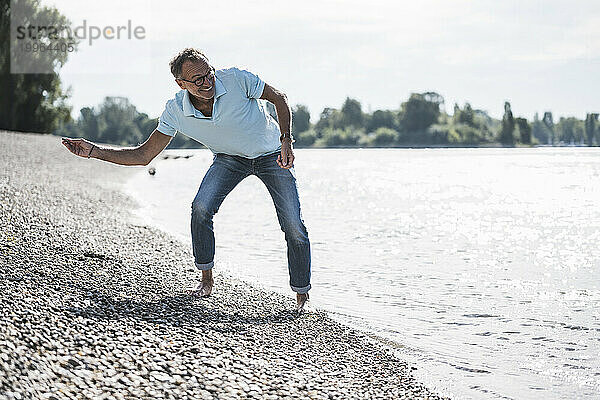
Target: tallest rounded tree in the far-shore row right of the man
{"type": "Point", "coordinates": [418, 113]}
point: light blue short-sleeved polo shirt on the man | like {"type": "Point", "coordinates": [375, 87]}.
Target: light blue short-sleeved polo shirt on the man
{"type": "Point", "coordinates": [240, 123]}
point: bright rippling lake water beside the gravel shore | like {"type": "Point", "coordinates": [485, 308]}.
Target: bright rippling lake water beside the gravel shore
{"type": "Point", "coordinates": [481, 265]}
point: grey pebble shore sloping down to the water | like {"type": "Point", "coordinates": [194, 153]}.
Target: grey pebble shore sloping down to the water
{"type": "Point", "coordinates": [93, 304]}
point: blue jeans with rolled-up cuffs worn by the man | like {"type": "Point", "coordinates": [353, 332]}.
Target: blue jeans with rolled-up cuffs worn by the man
{"type": "Point", "coordinates": [223, 175]}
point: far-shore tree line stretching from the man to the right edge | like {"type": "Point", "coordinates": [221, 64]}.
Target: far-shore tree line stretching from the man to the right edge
{"type": "Point", "coordinates": [422, 121]}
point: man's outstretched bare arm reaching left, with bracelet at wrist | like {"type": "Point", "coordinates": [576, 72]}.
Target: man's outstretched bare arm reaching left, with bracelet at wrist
{"type": "Point", "coordinates": [139, 155]}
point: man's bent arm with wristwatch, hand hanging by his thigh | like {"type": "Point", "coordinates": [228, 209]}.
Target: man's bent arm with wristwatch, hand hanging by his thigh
{"type": "Point", "coordinates": [279, 99]}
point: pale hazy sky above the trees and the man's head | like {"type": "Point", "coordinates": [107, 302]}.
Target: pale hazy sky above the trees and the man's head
{"type": "Point", "coordinates": [539, 55]}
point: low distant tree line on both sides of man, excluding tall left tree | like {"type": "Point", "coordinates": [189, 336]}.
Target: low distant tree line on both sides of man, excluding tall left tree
{"type": "Point", "coordinates": [420, 121]}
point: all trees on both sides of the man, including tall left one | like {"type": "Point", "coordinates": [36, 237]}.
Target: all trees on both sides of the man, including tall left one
{"type": "Point", "coordinates": [38, 103]}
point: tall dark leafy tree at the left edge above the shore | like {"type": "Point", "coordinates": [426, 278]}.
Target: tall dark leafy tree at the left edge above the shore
{"type": "Point", "coordinates": [32, 102]}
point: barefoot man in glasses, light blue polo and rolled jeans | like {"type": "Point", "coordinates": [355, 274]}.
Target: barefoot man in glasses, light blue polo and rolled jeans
{"type": "Point", "coordinates": [220, 109]}
